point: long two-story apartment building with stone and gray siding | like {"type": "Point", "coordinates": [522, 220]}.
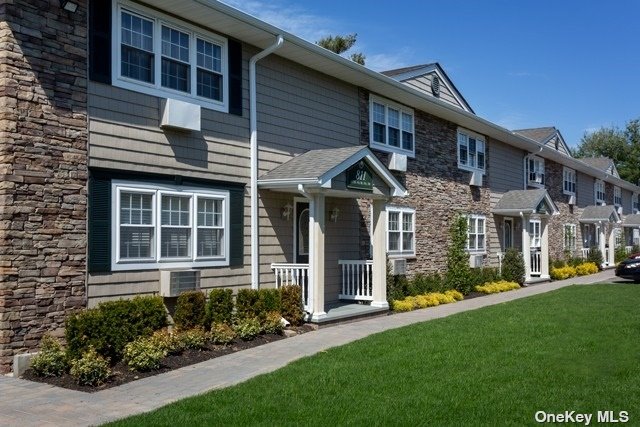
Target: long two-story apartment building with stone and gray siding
{"type": "Point", "coordinates": [150, 148]}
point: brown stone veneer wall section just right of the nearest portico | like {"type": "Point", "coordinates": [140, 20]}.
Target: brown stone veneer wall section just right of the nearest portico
{"type": "Point", "coordinates": [438, 190]}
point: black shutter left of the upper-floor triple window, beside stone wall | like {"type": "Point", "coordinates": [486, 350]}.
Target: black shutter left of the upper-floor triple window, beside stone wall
{"type": "Point", "coordinates": [100, 41]}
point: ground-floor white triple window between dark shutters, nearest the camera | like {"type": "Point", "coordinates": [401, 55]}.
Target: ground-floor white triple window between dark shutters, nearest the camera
{"type": "Point", "coordinates": [168, 226]}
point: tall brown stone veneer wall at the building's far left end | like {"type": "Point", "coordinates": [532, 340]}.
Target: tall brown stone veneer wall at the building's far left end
{"type": "Point", "coordinates": [43, 164]}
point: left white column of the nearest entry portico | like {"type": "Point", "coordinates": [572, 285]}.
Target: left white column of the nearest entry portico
{"type": "Point", "coordinates": [316, 256]}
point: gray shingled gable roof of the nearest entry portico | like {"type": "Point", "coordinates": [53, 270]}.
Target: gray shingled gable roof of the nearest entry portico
{"type": "Point", "coordinates": [318, 167]}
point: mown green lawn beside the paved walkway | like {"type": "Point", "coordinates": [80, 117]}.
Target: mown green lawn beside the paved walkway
{"type": "Point", "coordinates": [573, 349]}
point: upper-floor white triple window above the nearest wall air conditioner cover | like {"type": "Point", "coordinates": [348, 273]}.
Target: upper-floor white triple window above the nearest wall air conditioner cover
{"type": "Point", "coordinates": [162, 56]}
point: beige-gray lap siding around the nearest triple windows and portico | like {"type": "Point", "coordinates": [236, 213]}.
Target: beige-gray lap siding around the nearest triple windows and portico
{"type": "Point", "coordinates": [298, 110]}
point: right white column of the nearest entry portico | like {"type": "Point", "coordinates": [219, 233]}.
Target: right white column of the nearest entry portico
{"type": "Point", "coordinates": [379, 255]}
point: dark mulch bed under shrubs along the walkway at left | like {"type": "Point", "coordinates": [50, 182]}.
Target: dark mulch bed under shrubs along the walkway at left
{"type": "Point", "coordinates": [121, 374]}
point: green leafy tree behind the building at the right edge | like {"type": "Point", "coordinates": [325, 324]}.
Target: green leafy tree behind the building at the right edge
{"type": "Point", "coordinates": [620, 145]}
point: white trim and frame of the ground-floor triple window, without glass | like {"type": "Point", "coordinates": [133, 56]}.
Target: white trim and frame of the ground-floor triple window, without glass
{"type": "Point", "coordinates": [158, 190]}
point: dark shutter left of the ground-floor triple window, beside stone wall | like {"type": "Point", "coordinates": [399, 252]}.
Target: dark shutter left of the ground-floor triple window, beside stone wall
{"type": "Point", "coordinates": [99, 225]}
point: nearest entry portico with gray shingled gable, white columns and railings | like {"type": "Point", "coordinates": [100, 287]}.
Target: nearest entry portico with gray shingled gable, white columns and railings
{"type": "Point", "coordinates": [341, 173]}
